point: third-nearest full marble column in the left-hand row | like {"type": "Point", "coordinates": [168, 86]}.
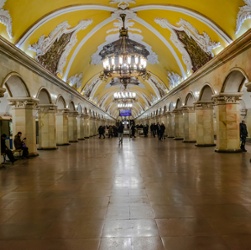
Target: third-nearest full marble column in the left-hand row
{"type": "Point", "coordinates": [62, 127]}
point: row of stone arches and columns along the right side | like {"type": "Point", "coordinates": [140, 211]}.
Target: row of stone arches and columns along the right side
{"type": "Point", "coordinates": [208, 117]}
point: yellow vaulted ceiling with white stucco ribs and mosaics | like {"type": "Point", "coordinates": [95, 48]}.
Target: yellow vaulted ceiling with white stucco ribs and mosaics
{"type": "Point", "coordinates": [66, 36]}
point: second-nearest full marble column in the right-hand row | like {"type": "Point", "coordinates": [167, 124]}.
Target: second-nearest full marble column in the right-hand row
{"type": "Point", "coordinates": [204, 124]}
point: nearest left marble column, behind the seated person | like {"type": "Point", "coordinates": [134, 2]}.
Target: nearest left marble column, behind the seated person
{"type": "Point", "coordinates": [24, 120]}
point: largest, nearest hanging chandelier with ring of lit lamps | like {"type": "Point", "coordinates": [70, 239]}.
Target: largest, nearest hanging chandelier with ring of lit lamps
{"type": "Point", "coordinates": [124, 58]}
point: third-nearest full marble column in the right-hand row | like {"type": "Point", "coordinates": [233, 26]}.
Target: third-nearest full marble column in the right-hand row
{"type": "Point", "coordinates": [189, 117]}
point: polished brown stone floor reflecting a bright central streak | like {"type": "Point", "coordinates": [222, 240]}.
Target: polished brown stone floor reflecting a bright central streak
{"type": "Point", "coordinates": [143, 195]}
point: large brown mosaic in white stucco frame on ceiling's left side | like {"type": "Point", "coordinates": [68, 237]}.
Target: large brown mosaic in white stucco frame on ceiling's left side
{"type": "Point", "coordinates": [52, 51]}
